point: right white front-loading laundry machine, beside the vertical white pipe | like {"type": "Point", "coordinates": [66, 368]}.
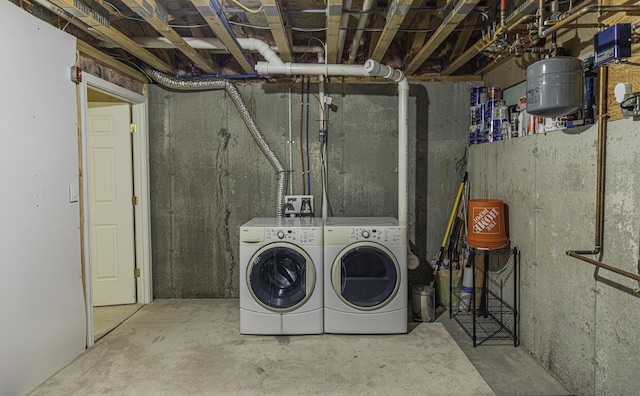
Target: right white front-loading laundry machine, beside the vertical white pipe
{"type": "Point", "coordinates": [365, 276]}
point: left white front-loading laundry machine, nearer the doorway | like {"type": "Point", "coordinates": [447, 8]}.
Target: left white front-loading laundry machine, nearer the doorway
{"type": "Point", "coordinates": [281, 276]}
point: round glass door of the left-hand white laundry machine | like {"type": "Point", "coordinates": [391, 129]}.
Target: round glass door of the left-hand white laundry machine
{"type": "Point", "coordinates": [281, 276]}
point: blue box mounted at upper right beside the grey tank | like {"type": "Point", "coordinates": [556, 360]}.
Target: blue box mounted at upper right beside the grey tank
{"type": "Point", "coordinates": [612, 44]}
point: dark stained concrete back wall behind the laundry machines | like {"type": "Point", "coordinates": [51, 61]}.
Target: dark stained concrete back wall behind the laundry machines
{"type": "Point", "coordinates": [208, 176]}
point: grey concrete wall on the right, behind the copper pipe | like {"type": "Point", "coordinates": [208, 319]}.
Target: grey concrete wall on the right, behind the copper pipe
{"type": "Point", "coordinates": [583, 329]}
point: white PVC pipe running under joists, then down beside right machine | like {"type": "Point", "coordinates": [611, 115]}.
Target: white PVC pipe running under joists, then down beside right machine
{"type": "Point", "coordinates": [371, 68]}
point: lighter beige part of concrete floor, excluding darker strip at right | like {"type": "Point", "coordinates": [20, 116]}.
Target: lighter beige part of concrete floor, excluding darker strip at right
{"type": "Point", "coordinates": [187, 347]}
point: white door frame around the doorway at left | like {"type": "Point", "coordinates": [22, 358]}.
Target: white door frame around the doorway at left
{"type": "Point", "coordinates": [142, 218]}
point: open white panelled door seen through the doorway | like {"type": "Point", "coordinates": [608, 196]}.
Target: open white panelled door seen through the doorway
{"type": "Point", "coordinates": [110, 183]}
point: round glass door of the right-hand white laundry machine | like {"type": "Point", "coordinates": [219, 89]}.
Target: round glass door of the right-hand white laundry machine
{"type": "Point", "coordinates": [366, 276]}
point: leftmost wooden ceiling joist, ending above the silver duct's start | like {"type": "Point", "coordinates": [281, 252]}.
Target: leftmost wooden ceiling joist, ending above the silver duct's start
{"type": "Point", "coordinates": [101, 24]}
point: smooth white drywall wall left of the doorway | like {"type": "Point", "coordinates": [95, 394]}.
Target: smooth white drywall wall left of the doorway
{"type": "Point", "coordinates": [43, 322]}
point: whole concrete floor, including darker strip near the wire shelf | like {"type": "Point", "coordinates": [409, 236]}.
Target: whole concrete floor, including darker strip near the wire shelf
{"type": "Point", "coordinates": [505, 369]}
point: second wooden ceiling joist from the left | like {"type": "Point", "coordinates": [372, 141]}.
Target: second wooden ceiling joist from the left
{"type": "Point", "coordinates": [152, 12]}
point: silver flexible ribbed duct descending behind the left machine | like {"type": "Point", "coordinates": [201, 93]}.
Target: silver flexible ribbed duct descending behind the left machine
{"type": "Point", "coordinates": [216, 83]}
